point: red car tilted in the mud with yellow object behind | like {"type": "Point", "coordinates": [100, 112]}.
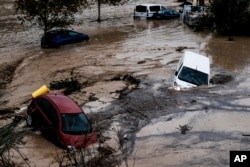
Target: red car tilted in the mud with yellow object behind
{"type": "Point", "coordinates": [60, 119]}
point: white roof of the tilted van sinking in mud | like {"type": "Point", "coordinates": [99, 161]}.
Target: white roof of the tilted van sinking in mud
{"type": "Point", "coordinates": [196, 61]}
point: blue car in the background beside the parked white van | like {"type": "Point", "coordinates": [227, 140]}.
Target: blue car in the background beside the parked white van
{"type": "Point", "coordinates": [166, 14]}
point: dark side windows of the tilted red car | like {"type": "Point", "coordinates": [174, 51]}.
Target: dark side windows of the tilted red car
{"type": "Point", "coordinates": [49, 111]}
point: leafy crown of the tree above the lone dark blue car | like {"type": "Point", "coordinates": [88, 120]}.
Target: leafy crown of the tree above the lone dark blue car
{"type": "Point", "coordinates": [48, 14]}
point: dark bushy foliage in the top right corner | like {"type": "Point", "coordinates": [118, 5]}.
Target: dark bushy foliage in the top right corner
{"type": "Point", "coordinates": [232, 17]}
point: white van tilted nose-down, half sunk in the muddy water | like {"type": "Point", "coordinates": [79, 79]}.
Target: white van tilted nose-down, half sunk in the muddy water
{"type": "Point", "coordinates": [192, 70]}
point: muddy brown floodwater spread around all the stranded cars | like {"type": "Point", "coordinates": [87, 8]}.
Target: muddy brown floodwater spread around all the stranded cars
{"type": "Point", "coordinates": [151, 112]}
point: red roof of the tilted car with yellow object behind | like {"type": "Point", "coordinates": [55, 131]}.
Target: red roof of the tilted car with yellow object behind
{"type": "Point", "coordinates": [63, 103]}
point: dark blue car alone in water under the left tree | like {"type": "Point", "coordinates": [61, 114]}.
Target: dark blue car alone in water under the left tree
{"type": "Point", "coordinates": [56, 38]}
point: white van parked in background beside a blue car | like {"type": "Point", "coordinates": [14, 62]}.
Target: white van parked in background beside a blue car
{"type": "Point", "coordinates": [147, 10]}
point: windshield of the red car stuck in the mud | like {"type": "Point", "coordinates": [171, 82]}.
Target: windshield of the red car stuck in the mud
{"type": "Point", "coordinates": [75, 124]}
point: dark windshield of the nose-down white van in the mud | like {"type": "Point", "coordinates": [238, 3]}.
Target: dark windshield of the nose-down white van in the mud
{"type": "Point", "coordinates": [193, 76]}
